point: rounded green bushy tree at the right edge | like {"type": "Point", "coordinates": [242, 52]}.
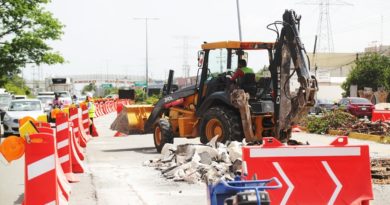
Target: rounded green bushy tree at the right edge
{"type": "Point", "coordinates": [371, 70]}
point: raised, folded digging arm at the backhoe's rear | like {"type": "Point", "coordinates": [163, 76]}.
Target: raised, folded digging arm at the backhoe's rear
{"type": "Point", "coordinates": [290, 107]}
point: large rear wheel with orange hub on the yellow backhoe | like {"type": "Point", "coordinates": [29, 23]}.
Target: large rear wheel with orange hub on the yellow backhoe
{"type": "Point", "coordinates": [221, 121]}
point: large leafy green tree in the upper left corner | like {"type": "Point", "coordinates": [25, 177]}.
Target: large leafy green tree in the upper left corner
{"type": "Point", "coordinates": [25, 26]}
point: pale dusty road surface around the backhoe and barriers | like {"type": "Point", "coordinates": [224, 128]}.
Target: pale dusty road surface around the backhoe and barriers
{"type": "Point", "coordinates": [115, 174]}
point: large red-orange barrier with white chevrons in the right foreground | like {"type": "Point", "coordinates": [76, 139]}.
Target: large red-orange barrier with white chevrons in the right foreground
{"type": "Point", "coordinates": [334, 174]}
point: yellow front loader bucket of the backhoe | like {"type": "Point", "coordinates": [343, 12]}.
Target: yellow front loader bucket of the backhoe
{"type": "Point", "coordinates": [137, 116]}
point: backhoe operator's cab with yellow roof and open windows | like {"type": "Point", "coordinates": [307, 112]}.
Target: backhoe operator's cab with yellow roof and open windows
{"type": "Point", "coordinates": [218, 62]}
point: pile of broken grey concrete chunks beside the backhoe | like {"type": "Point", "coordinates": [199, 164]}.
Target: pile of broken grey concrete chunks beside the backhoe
{"type": "Point", "coordinates": [194, 163]}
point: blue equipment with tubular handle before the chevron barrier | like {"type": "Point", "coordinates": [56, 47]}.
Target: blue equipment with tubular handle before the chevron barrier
{"type": "Point", "coordinates": [223, 190]}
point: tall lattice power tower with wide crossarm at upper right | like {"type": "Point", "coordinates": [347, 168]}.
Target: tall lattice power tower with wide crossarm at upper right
{"type": "Point", "coordinates": [324, 27]}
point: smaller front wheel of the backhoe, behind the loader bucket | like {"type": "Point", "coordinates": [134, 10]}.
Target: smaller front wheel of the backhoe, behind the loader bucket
{"type": "Point", "coordinates": [162, 134]}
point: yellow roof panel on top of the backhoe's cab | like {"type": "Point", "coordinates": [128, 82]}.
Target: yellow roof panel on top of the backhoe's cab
{"type": "Point", "coordinates": [238, 45]}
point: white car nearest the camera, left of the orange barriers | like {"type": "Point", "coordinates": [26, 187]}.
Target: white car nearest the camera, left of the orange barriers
{"type": "Point", "coordinates": [19, 109]}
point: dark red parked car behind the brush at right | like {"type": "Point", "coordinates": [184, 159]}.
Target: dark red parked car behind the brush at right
{"type": "Point", "coordinates": [359, 107]}
